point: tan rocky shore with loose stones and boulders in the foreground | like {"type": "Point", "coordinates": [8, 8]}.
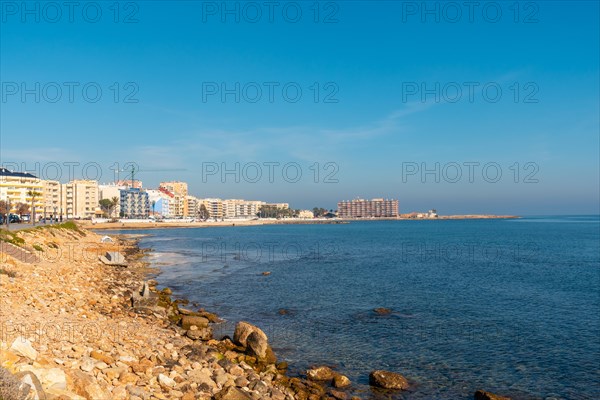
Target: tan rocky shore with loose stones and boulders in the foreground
{"type": "Point", "coordinates": [75, 328]}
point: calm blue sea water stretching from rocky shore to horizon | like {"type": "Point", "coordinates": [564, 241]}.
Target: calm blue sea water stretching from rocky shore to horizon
{"type": "Point", "coordinates": [511, 306]}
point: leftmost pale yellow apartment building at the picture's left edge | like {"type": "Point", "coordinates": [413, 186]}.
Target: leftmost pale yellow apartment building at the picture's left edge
{"type": "Point", "coordinates": [22, 187]}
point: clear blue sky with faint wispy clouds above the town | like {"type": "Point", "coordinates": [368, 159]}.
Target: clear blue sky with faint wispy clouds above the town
{"type": "Point", "coordinates": [390, 74]}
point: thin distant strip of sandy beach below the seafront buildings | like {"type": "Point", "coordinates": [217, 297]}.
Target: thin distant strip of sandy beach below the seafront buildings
{"type": "Point", "coordinates": [229, 223]}
